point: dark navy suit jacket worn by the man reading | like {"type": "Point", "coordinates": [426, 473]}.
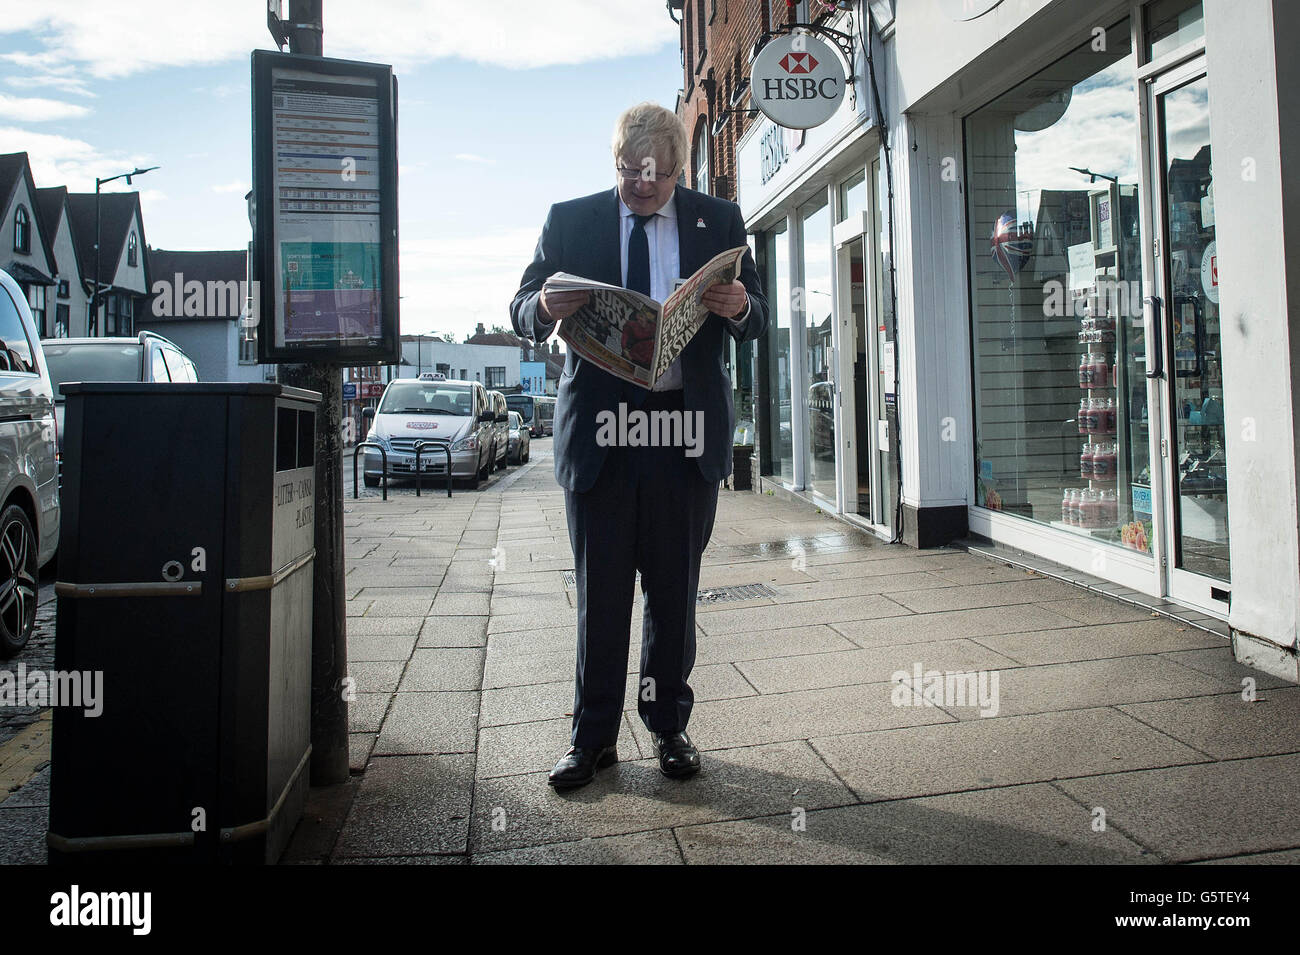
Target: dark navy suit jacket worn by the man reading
{"type": "Point", "coordinates": [583, 237]}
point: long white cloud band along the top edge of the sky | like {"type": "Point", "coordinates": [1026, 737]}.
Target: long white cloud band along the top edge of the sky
{"type": "Point", "coordinates": [93, 36]}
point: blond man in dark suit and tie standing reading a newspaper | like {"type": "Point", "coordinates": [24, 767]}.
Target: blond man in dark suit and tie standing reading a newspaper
{"type": "Point", "coordinates": [640, 509]}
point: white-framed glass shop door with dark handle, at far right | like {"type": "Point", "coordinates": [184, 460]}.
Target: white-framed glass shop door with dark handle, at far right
{"type": "Point", "coordinates": [1191, 379]}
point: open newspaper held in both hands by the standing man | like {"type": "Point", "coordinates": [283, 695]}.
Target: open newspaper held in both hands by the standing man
{"type": "Point", "coordinates": [632, 336]}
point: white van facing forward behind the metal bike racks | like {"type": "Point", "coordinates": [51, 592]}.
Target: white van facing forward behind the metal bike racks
{"type": "Point", "coordinates": [434, 406]}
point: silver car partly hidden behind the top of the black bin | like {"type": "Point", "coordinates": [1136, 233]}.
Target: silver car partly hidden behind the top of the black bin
{"type": "Point", "coordinates": [146, 358]}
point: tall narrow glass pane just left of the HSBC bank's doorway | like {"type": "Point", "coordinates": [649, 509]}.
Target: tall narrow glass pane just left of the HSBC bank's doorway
{"type": "Point", "coordinates": [817, 306]}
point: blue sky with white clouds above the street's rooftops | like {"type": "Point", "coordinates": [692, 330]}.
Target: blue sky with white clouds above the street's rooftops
{"type": "Point", "coordinates": [504, 110]}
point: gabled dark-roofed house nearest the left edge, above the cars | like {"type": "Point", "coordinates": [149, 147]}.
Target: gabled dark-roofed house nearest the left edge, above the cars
{"type": "Point", "coordinates": [25, 246]}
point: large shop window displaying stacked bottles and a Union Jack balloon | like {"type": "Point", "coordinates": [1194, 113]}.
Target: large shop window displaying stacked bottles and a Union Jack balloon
{"type": "Point", "coordinates": [1061, 431]}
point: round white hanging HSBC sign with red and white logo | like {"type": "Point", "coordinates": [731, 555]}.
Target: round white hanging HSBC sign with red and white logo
{"type": "Point", "coordinates": [798, 83]}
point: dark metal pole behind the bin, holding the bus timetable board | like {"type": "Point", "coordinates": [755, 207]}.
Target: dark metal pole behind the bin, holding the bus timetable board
{"type": "Point", "coordinates": [330, 613]}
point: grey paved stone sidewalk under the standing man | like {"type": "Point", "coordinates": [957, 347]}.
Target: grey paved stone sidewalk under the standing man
{"type": "Point", "coordinates": [1120, 737]}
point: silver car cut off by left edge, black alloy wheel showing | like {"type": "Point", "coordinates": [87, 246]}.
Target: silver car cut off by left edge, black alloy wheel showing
{"type": "Point", "coordinates": [29, 471]}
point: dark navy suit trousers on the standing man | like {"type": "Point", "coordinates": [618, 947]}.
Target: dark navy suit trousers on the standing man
{"type": "Point", "coordinates": [651, 510]}
